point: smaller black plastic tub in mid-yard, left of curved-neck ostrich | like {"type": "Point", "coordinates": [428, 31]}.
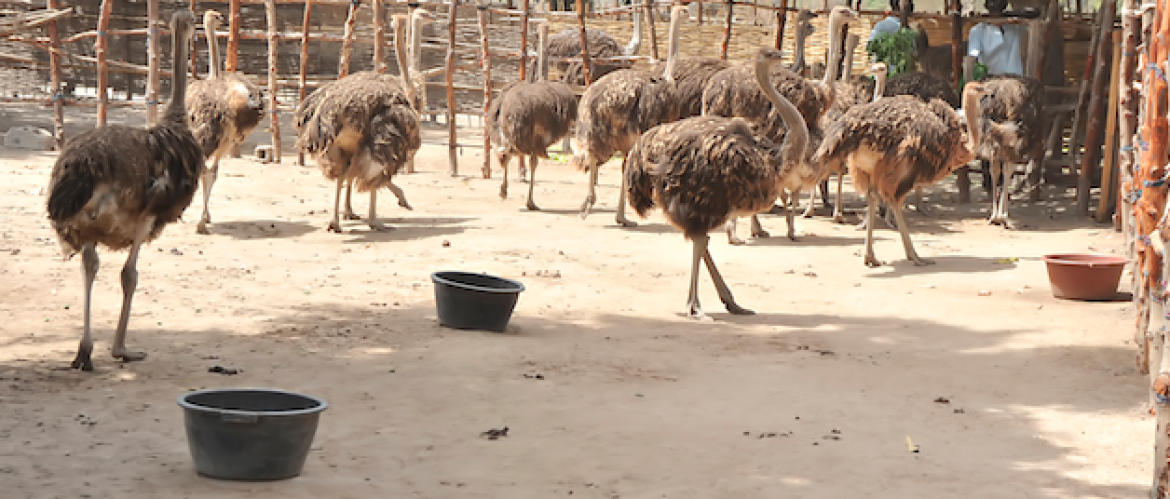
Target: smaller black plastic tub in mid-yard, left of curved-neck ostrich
{"type": "Point", "coordinates": [476, 302]}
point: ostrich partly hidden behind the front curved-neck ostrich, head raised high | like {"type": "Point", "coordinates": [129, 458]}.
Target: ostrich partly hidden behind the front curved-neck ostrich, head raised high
{"type": "Point", "coordinates": [732, 94]}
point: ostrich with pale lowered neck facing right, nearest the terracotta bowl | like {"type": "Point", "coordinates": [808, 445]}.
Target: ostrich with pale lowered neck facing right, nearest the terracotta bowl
{"type": "Point", "coordinates": [896, 145]}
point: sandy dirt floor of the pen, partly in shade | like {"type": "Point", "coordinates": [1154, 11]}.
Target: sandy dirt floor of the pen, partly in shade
{"type": "Point", "coordinates": [1006, 391]}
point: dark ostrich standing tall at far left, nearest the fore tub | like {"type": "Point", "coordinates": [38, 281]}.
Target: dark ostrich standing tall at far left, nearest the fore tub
{"type": "Point", "coordinates": [119, 187]}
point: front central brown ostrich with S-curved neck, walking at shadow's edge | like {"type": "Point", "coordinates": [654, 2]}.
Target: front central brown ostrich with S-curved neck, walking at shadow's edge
{"type": "Point", "coordinates": [706, 170]}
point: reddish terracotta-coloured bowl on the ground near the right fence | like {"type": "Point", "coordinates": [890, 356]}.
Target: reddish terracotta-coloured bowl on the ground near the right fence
{"type": "Point", "coordinates": [1085, 277]}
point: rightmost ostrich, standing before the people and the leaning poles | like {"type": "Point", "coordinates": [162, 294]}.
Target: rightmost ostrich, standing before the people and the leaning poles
{"type": "Point", "coordinates": [1013, 127]}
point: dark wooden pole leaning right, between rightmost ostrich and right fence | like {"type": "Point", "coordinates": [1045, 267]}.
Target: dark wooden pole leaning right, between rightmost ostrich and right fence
{"type": "Point", "coordinates": [1093, 133]}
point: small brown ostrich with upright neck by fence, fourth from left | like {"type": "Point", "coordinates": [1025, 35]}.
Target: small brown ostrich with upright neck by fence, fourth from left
{"type": "Point", "coordinates": [531, 117]}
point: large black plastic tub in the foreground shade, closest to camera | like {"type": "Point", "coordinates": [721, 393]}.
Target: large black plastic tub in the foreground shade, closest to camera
{"type": "Point", "coordinates": [250, 434]}
